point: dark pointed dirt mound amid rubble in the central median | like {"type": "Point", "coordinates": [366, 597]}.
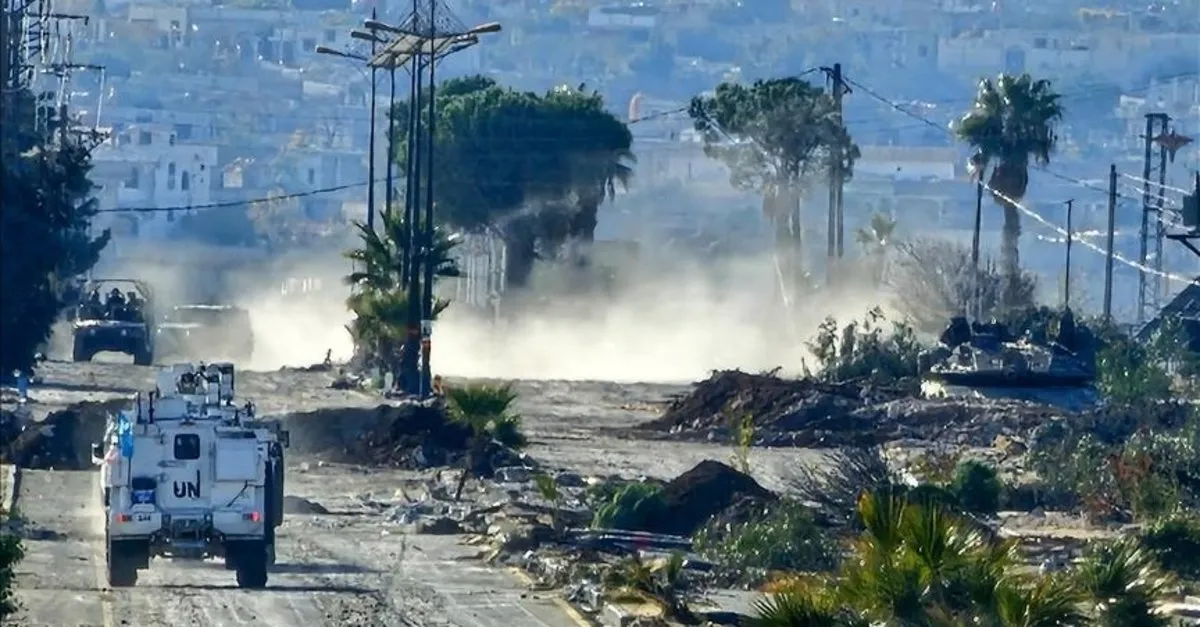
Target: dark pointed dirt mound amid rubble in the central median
{"type": "Point", "coordinates": [709, 489]}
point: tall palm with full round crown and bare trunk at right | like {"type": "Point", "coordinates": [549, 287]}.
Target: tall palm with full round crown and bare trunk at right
{"type": "Point", "coordinates": [1011, 123]}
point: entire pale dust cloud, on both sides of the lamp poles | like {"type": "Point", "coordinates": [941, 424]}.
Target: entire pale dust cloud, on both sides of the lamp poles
{"type": "Point", "coordinates": [668, 324]}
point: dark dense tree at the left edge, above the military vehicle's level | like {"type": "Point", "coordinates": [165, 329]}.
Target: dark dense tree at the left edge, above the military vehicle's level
{"type": "Point", "coordinates": [46, 211]}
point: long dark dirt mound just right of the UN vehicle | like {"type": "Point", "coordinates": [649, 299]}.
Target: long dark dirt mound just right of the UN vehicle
{"type": "Point", "coordinates": [405, 435]}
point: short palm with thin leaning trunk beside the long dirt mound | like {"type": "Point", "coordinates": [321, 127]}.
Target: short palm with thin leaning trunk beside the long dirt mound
{"type": "Point", "coordinates": [487, 411]}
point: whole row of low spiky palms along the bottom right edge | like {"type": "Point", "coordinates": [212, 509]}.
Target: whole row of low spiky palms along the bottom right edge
{"type": "Point", "coordinates": [923, 565]}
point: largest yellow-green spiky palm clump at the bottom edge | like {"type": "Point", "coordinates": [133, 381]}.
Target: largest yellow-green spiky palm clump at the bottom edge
{"type": "Point", "coordinates": [922, 566]}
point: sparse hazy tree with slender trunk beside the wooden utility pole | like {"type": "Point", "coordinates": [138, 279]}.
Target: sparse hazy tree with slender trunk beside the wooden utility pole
{"type": "Point", "coordinates": [776, 136]}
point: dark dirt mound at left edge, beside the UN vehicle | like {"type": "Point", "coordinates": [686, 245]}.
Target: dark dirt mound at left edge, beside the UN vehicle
{"type": "Point", "coordinates": [63, 440]}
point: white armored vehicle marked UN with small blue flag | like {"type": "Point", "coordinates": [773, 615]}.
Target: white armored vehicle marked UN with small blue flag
{"type": "Point", "coordinates": [189, 475]}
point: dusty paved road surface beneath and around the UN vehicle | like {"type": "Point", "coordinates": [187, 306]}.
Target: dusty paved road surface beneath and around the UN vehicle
{"type": "Point", "coordinates": [335, 570]}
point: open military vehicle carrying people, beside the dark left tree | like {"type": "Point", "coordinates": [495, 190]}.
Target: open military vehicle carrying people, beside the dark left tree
{"type": "Point", "coordinates": [115, 315]}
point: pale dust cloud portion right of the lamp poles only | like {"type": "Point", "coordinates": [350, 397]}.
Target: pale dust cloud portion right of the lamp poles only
{"type": "Point", "coordinates": [674, 327]}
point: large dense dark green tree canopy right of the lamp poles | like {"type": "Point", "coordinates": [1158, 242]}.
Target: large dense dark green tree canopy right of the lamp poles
{"type": "Point", "coordinates": [535, 166]}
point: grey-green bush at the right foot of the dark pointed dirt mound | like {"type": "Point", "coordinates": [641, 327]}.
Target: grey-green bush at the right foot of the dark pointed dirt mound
{"type": "Point", "coordinates": [784, 538]}
